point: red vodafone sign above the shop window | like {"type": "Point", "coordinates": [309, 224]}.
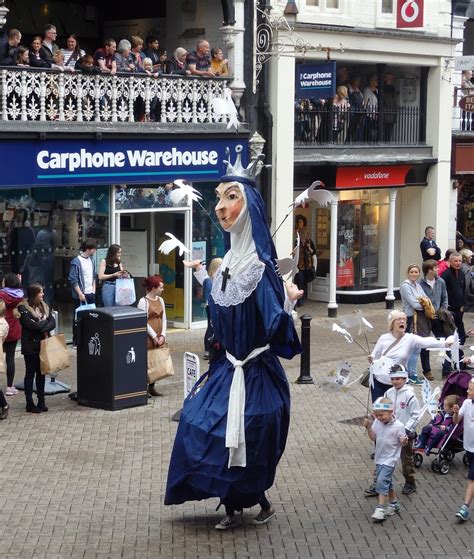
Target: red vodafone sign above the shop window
{"type": "Point", "coordinates": [382, 176]}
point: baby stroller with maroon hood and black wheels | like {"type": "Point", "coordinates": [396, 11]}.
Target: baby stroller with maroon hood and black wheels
{"type": "Point", "coordinates": [456, 384]}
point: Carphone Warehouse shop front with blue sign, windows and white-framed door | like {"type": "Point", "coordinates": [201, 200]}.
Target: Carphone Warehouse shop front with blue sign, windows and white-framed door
{"type": "Point", "coordinates": [56, 193]}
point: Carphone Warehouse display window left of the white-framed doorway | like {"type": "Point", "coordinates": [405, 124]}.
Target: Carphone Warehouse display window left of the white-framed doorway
{"type": "Point", "coordinates": [41, 230]}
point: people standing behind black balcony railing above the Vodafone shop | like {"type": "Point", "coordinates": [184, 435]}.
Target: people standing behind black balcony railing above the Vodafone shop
{"type": "Point", "coordinates": [352, 114]}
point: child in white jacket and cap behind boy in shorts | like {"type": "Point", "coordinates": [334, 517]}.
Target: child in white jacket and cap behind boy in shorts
{"type": "Point", "coordinates": [406, 409]}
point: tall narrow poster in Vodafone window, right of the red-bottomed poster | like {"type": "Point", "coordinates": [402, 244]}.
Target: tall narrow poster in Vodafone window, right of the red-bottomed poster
{"type": "Point", "coordinates": [369, 257]}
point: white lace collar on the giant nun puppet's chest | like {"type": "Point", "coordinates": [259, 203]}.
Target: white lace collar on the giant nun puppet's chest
{"type": "Point", "coordinates": [238, 287]}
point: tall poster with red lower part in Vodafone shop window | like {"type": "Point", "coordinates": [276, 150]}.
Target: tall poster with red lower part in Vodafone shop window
{"type": "Point", "coordinates": [345, 244]}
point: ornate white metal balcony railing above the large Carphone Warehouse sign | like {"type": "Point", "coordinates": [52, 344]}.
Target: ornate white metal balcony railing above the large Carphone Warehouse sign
{"type": "Point", "coordinates": [48, 95]}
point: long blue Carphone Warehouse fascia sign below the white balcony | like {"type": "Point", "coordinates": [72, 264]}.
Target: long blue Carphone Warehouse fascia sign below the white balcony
{"type": "Point", "coordinates": [75, 162]}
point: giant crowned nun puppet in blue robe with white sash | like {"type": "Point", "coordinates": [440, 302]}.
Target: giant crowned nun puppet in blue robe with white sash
{"type": "Point", "coordinates": [234, 424]}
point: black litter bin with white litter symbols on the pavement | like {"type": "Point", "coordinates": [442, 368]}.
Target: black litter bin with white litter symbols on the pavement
{"type": "Point", "coordinates": [112, 358]}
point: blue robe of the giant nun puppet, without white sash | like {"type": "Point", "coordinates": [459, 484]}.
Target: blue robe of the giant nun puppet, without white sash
{"type": "Point", "coordinates": [199, 462]}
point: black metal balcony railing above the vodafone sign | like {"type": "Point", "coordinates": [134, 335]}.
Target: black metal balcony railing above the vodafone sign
{"type": "Point", "coordinates": [345, 125]}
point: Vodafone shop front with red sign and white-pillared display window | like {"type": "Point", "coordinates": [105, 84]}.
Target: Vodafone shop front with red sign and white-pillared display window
{"type": "Point", "coordinates": [357, 236]}
